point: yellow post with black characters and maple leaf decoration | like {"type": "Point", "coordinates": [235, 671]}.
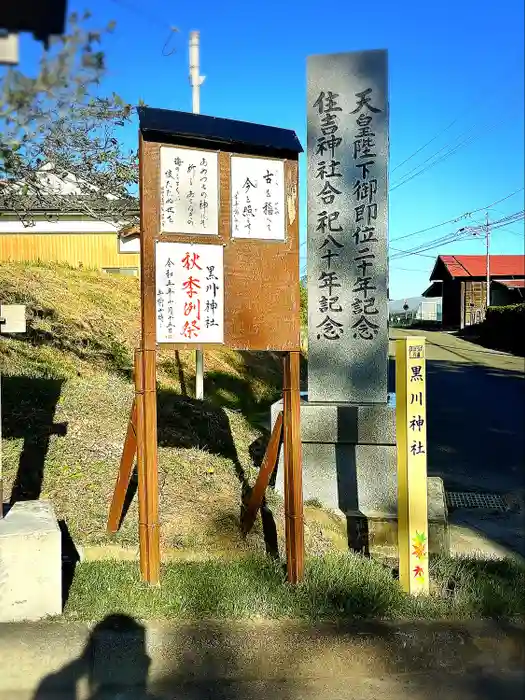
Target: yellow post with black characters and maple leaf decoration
{"type": "Point", "coordinates": [411, 426]}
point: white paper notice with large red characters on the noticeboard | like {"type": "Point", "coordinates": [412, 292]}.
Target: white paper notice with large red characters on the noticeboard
{"type": "Point", "coordinates": [190, 293]}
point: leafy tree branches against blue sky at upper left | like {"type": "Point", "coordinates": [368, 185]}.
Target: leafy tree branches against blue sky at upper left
{"type": "Point", "coordinates": [57, 130]}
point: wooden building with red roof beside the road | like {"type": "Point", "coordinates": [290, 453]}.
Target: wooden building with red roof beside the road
{"type": "Point", "coordinates": [461, 281]}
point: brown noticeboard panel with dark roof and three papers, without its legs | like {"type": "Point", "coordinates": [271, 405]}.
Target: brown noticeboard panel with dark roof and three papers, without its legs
{"type": "Point", "coordinates": [226, 192]}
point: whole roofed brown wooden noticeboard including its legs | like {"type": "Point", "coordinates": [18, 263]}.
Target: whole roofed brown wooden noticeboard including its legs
{"type": "Point", "coordinates": [219, 267]}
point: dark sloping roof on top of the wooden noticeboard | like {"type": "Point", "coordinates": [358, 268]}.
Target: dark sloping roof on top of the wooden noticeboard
{"type": "Point", "coordinates": [202, 131]}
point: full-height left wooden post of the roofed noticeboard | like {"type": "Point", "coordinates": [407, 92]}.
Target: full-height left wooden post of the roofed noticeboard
{"type": "Point", "coordinates": [148, 230]}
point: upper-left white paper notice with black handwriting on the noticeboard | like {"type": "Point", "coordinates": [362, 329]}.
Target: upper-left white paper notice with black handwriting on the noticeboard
{"type": "Point", "coordinates": [189, 193]}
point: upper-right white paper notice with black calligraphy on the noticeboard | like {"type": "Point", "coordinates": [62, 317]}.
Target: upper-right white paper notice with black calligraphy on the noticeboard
{"type": "Point", "coordinates": [257, 192]}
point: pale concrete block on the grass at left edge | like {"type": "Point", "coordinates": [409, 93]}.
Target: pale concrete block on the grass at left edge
{"type": "Point", "coordinates": [30, 563]}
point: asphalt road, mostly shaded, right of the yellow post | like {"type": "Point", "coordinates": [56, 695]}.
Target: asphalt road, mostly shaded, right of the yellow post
{"type": "Point", "coordinates": [475, 413]}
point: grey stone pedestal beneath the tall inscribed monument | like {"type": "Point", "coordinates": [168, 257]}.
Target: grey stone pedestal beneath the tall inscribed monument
{"type": "Point", "coordinates": [350, 465]}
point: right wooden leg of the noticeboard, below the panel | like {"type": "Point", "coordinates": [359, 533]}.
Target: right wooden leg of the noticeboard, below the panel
{"type": "Point", "coordinates": [293, 481]}
